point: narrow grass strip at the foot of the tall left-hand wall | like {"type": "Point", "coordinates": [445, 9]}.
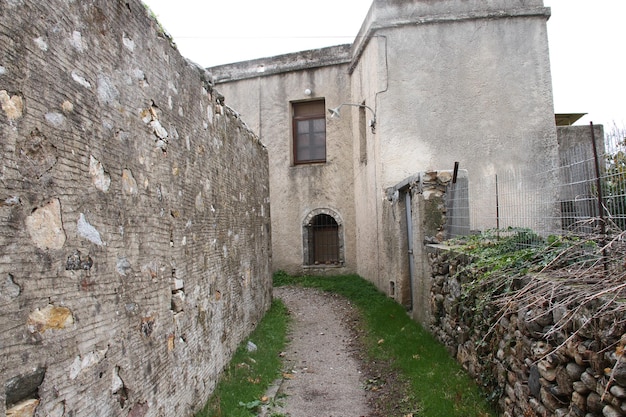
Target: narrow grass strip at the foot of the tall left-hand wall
{"type": "Point", "coordinates": [243, 384]}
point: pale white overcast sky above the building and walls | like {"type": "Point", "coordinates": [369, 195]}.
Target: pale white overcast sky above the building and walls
{"type": "Point", "coordinates": [586, 39]}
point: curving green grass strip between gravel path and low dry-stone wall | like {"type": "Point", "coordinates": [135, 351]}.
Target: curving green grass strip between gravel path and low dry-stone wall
{"type": "Point", "coordinates": [437, 381]}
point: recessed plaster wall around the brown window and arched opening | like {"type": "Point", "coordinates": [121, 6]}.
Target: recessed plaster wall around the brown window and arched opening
{"type": "Point", "coordinates": [298, 190]}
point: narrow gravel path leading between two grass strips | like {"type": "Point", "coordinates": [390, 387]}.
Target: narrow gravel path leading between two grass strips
{"type": "Point", "coordinates": [322, 377]}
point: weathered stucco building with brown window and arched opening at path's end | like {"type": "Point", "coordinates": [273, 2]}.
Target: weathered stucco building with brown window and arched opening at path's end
{"type": "Point", "coordinates": [427, 83]}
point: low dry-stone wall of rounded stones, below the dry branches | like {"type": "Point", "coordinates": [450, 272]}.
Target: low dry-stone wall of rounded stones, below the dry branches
{"type": "Point", "coordinates": [532, 360]}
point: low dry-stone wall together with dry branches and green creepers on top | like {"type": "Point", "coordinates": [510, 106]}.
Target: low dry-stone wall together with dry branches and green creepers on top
{"type": "Point", "coordinates": [541, 321]}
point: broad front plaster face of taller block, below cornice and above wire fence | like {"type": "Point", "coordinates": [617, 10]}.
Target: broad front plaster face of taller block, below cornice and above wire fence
{"type": "Point", "coordinates": [484, 95]}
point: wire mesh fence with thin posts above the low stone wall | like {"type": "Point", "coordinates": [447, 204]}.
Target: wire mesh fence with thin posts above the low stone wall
{"type": "Point", "coordinates": [585, 194]}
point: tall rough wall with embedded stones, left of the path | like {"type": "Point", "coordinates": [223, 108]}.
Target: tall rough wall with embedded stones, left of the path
{"type": "Point", "coordinates": [134, 216]}
